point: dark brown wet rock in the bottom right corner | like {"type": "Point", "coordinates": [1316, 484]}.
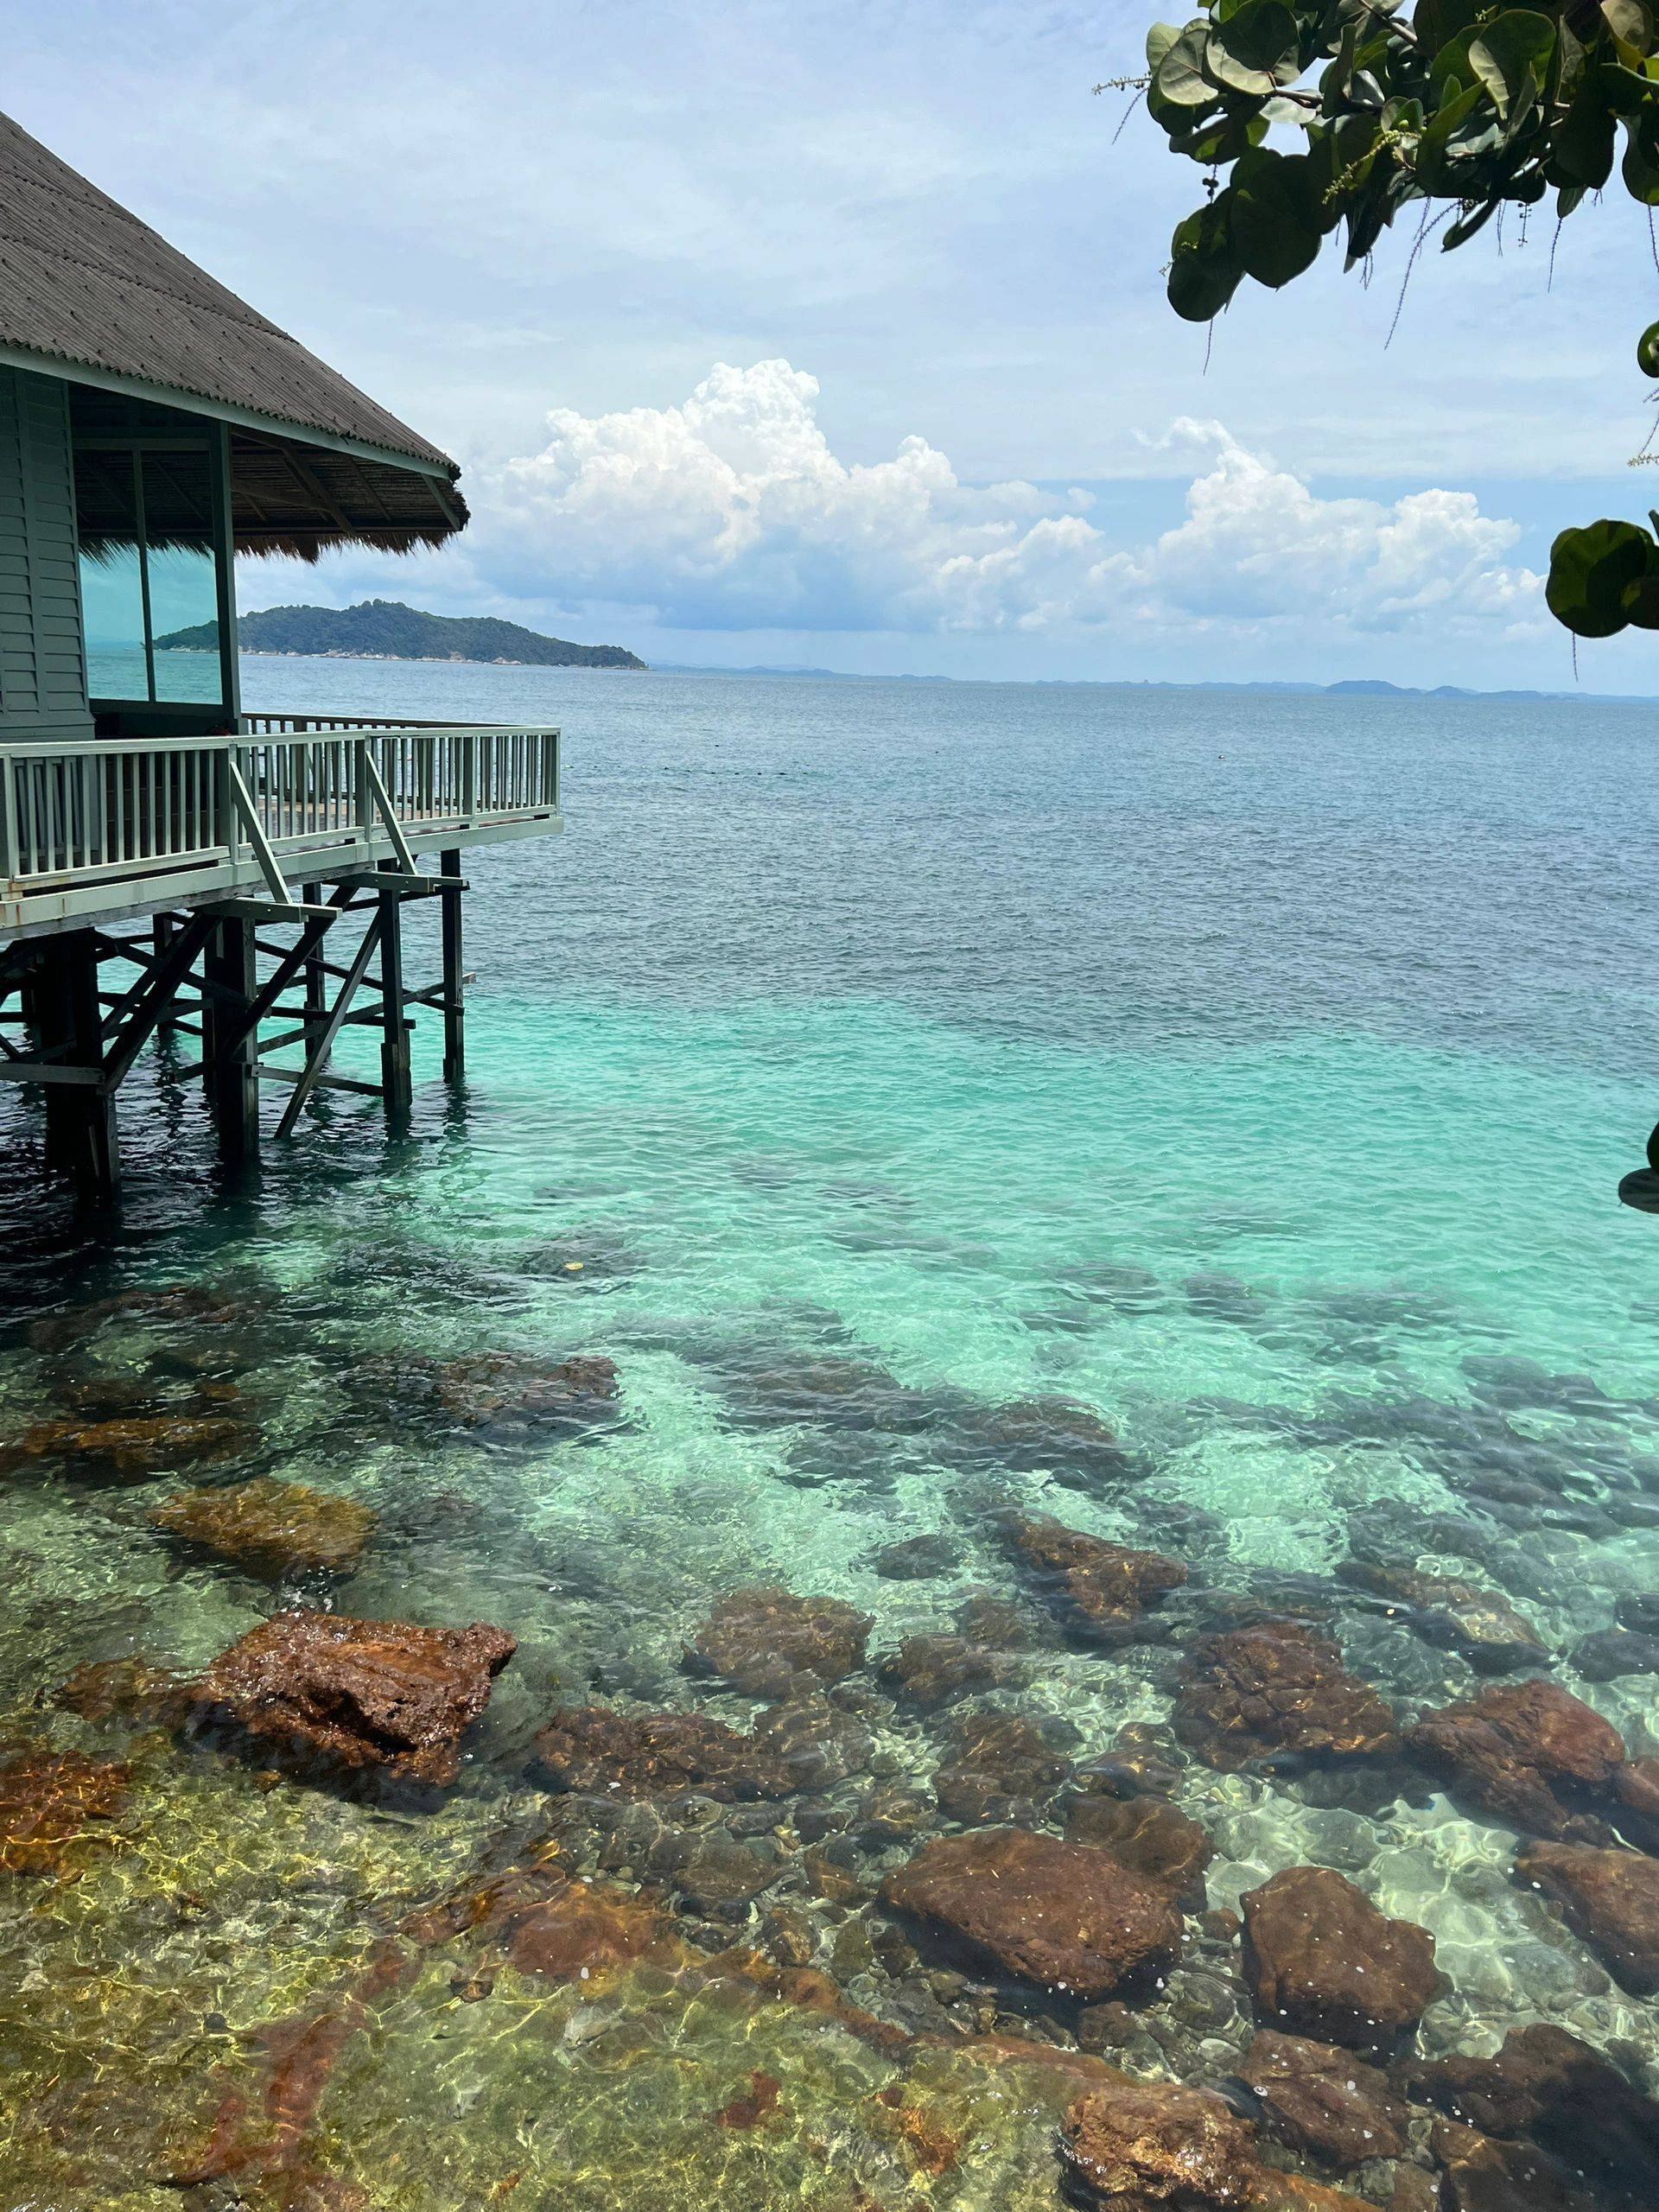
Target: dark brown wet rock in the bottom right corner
{"type": "Point", "coordinates": [1561, 2094]}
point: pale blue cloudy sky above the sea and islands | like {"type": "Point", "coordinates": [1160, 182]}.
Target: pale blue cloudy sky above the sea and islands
{"type": "Point", "coordinates": [835, 337]}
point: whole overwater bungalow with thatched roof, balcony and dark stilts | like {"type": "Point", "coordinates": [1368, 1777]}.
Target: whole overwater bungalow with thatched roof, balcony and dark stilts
{"type": "Point", "coordinates": [152, 428]}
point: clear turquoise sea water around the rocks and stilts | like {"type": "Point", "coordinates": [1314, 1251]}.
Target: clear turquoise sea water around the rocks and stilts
{"type": "Point", "coordinates": [1255, 1072]}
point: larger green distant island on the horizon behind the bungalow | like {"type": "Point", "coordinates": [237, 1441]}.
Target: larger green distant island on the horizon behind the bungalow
{"type": "Point", "coordinates": [390, 632]}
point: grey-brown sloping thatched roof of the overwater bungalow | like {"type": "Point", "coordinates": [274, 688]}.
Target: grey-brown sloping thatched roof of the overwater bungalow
{"type": "Point", "coordinates": [94, 295]}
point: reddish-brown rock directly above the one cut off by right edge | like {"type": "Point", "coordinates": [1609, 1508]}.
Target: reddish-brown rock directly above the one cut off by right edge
{"type": "Point", "coordinates": [1525, 1753]}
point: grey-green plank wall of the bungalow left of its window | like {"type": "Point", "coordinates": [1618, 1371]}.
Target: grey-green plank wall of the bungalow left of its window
{"type": "Point", "coordinates": [43, 660]}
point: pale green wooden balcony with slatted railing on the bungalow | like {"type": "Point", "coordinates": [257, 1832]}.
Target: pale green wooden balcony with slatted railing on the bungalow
{"type": "Point", "coordinates": [109, 828]}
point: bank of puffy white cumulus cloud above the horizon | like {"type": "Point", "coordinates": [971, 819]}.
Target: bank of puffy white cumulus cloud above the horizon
{"type": "Point", "coordinates": [733, 512]}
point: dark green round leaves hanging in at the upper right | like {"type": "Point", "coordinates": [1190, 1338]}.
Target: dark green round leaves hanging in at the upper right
{"type": "Point", "coordinates": [1457, 105]}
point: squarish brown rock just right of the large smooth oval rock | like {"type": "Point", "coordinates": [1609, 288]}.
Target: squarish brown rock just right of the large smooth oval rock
{"type": "Point", "coordinates": [1326, 1963]}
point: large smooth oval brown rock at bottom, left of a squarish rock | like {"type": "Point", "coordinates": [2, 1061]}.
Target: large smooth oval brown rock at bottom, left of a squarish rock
{"type": "Point", "coordinates": [1052, 1912]}
